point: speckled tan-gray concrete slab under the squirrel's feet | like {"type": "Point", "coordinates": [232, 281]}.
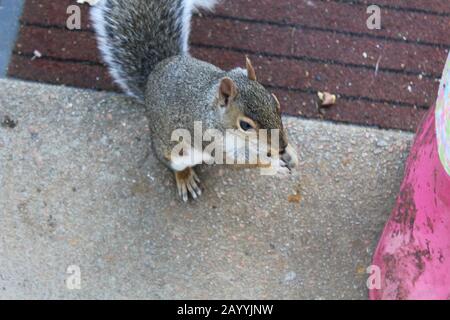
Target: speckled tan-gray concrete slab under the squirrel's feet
{"type": "Point", "coordinates": [79, 186]}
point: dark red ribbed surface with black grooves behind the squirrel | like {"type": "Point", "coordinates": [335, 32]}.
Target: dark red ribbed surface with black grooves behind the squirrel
{"type": "Point", "coordinates": [299, 48]}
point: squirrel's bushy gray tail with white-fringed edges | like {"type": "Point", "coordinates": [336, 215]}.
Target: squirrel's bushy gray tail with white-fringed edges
{"type": "Point", "coordinates": [135, 35]}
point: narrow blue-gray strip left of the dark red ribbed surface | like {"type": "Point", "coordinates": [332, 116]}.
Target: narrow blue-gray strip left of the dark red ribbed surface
{"type": "Point", "coordinates": [10, 11]}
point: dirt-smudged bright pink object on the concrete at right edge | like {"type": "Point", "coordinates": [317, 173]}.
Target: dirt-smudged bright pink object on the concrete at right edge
{"type": "Point", "coordinates": [414, 250]}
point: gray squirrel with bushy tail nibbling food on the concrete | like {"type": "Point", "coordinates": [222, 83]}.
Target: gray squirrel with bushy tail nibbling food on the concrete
{"type": "Point", "coordinates": [145, 46]}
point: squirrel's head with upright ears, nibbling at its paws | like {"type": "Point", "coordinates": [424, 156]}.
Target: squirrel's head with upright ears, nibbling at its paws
{"type": "Point", "coordinates": [248, 107]}
